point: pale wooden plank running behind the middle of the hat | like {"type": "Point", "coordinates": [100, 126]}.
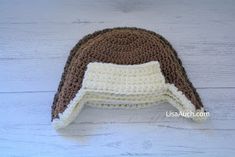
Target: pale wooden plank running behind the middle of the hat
{"type": "Point", "coordinates": [44, 74]}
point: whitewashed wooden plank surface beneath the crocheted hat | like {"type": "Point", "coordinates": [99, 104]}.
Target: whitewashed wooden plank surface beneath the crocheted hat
{"type": "Point", "coordinates": [35, 40]}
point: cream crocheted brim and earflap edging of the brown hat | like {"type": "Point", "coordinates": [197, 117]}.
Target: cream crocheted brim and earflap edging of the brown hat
{"type": "Point", "coordinates": [124, 86]}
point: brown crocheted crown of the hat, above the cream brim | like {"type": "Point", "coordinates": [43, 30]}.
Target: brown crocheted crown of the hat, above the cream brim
{"type": "Point", "coordinates": [121, 46]}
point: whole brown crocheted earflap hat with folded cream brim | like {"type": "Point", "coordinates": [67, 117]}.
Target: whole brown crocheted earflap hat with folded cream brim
{"type": "Point", "coordinates": [124, 68]}
